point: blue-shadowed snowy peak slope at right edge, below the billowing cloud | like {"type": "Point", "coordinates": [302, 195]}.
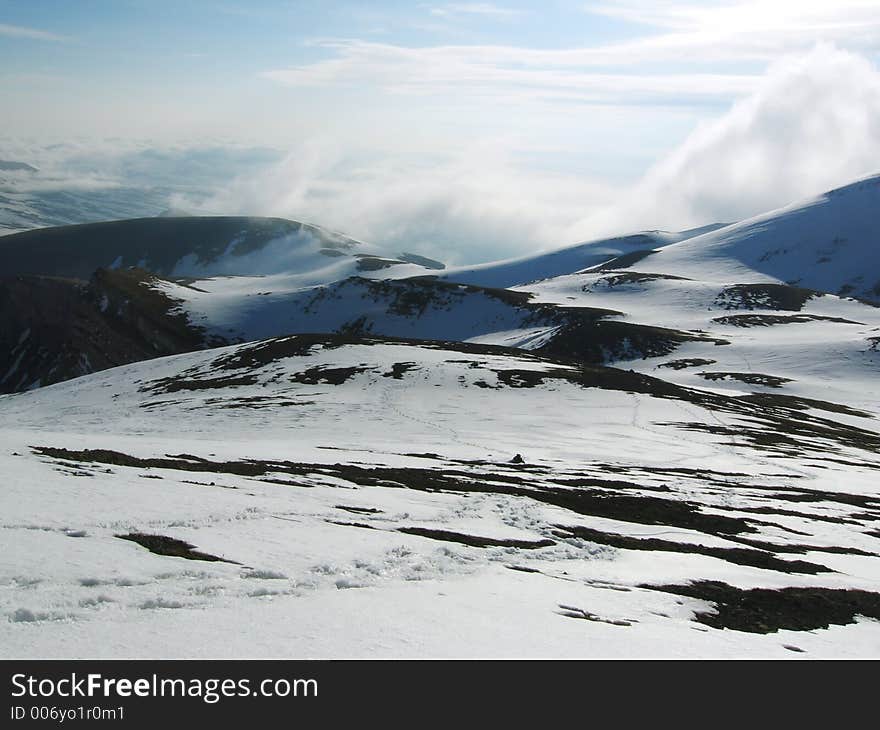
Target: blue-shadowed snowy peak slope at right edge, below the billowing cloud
{"type": "Point", "coordinates": [830, 243]}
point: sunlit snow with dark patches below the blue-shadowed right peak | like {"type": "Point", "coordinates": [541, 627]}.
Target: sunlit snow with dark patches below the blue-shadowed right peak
{"type": "Point", "coordinates": [780, 339]}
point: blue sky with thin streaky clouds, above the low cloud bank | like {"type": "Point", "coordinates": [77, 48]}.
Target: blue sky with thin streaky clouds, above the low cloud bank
{"type": "Point", "coordinates": [204, 63]}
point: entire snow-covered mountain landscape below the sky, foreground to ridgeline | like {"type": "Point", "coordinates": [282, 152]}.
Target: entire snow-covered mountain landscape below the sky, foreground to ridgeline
{"type": "Point", "coordinates": [658, 445]}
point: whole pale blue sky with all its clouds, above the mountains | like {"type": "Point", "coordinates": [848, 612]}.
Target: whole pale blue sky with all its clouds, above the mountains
{"type": "Point", "coordinates": [547, 111]}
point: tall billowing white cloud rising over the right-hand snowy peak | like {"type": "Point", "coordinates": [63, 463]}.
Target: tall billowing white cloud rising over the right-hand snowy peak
{"type": "Point", "coordinates": [813, 124]}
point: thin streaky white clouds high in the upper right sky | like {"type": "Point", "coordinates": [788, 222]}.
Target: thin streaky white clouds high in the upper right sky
{"type": "Point", "coordinates": [624, 72]}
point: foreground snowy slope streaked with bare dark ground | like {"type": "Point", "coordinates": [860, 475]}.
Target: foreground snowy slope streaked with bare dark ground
{"type": "Point", "coordinates": [345, 497]}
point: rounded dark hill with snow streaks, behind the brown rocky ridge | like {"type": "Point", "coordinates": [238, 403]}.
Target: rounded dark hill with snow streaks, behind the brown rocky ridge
{"type": "Point", "coordinates": [192, 246]}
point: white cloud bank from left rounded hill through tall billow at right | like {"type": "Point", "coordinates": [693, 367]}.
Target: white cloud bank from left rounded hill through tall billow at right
{"type": "Point", "coordinates": [812, 123]}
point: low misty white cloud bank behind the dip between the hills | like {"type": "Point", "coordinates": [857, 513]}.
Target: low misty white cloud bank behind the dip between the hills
{"type": "Point", "coordinates": [473, 206]}
